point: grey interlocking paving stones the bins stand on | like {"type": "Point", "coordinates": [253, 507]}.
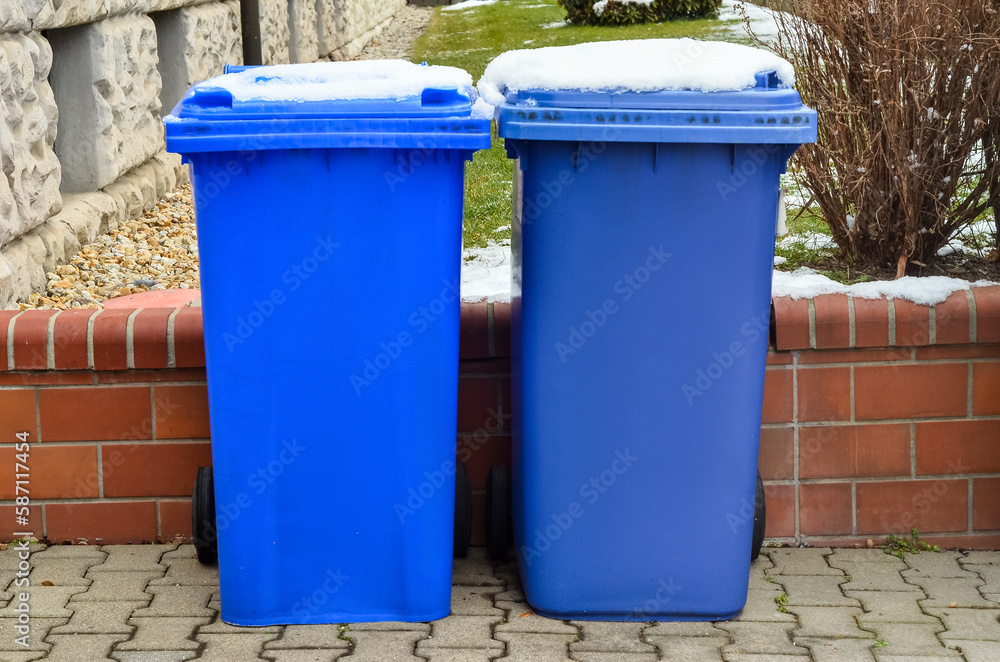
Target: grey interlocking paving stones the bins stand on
{"type": "Point", "coordinates": [156, 603]}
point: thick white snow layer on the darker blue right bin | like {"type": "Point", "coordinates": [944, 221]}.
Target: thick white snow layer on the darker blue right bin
{"type": "Point", "coordinates": [641, 65]}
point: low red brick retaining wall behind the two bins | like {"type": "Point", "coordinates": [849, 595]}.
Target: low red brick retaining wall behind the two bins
{"type": "Point", "coordinates": [879, 416]}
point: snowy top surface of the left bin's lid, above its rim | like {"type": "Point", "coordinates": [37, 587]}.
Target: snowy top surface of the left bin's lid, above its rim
{"type": "Point", "coordinates": [372, 88]}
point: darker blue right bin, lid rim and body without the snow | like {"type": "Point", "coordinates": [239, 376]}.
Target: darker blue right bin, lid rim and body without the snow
{"type": "Point", "coordinates": [642, 260]}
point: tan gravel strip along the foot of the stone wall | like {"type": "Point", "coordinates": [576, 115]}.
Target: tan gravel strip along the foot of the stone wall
{"type": "Point", "coordinates": [159, 250]}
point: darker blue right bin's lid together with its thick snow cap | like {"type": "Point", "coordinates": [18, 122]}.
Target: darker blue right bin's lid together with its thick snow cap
{"type": "Point", "coordinates": [650, 90]}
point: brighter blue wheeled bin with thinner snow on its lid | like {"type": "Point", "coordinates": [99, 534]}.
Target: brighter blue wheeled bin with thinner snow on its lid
{"type": "Point", "coordinates": [330, 235]}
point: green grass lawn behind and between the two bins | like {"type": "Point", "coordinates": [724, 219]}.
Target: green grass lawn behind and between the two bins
{"type": "Point", "coordinates": [471, 38]}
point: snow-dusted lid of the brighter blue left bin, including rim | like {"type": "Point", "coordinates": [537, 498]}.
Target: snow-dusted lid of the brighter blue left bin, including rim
{"type": "Point", "coordinates": [330, 104]}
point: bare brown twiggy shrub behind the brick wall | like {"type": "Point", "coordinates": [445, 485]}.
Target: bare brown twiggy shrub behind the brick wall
{"type": "Point", "coordinates": [908, 94]}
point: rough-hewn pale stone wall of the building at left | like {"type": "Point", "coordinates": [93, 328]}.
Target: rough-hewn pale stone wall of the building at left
{"type": "Point", "coordinates": [81, 105]}
